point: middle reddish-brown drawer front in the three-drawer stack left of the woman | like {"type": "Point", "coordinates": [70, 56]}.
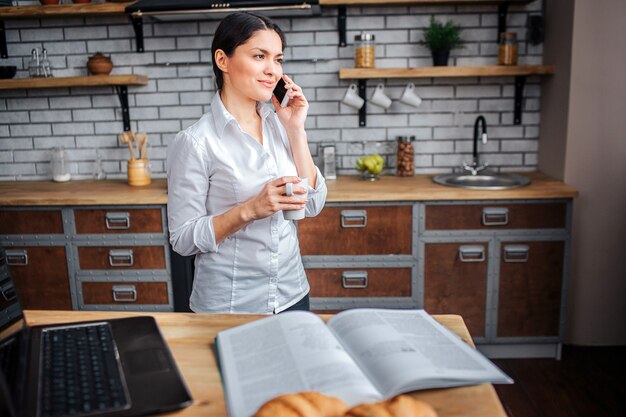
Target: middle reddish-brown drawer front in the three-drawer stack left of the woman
{"type": "Point", "coordinates": [121, 257]}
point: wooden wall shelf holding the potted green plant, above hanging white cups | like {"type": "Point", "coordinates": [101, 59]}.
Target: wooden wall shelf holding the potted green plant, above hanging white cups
{"type": "Point", "coordinates": [435, 72]}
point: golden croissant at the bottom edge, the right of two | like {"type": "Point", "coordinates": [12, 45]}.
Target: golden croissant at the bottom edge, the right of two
{"type": "Point", "coordinates": [399, 406]}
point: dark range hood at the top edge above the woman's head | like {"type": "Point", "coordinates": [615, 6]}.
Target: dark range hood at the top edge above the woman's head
{"type": "Point", "coordinates": [216, 9]}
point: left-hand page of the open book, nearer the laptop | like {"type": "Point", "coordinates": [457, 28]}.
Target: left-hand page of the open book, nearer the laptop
{"type": "Point", "coordinates": [290, 352]}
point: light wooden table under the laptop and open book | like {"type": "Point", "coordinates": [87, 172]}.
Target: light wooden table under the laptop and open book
{"type": "Point", "coordinates": [191, 339]}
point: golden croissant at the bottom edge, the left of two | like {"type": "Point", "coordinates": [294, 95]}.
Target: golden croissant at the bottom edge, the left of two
{"type": "Point", "coordinates": [303, 404]}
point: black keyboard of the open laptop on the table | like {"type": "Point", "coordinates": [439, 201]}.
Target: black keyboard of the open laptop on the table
{"type": "Point", "coordinates": [80, 372]}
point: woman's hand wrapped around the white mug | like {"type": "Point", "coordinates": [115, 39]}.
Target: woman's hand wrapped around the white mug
{"type": "Point", "coordinates": [272, 198]}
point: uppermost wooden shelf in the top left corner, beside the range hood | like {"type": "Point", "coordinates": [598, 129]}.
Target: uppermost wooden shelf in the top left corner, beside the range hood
{"type": "Point", "coordinates": [26, 12]}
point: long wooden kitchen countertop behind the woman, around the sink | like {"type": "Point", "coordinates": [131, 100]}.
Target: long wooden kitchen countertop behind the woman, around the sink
{"type": "Point", "coordinates": [343, 189]}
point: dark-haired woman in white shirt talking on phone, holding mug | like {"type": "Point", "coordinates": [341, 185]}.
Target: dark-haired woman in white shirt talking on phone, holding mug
{"type": "Point", "coordinates": [227, 177]}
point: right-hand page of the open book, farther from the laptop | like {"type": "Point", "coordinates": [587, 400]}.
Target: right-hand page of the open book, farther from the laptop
{"type": "Point", "coordinates": [405, 350]}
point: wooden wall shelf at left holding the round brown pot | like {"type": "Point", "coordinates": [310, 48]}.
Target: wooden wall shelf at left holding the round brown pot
{"type": "Point", "coordinates": [89, 81]}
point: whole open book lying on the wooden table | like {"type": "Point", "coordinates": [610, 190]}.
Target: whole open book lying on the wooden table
{"type": "Point", "coordinates": [360, 355]}
